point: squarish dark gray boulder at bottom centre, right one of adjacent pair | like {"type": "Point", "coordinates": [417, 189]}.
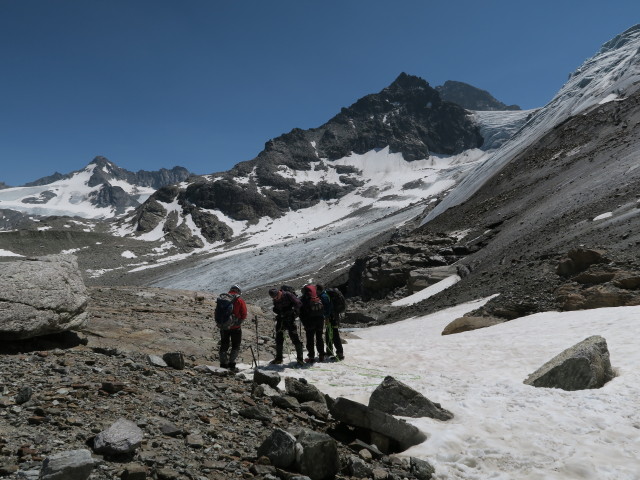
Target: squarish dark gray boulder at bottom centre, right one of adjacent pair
{"type": "Point", "coordinates": [317, 456]}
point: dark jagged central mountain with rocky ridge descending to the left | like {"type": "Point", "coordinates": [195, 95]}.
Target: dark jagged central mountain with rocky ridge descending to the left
{"type": "Point", "coordinates": [408, 117]}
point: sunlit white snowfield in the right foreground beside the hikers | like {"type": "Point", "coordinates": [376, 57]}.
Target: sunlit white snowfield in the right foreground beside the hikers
{"type": "Point", "coordinates": [502, 428]}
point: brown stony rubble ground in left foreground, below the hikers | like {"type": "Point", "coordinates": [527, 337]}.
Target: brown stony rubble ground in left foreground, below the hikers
{"type": "Point", "coordinates": [57, 394]}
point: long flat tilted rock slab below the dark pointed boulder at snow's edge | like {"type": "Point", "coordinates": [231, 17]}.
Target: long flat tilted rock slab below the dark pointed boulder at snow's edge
{"type": "Point", "coordinates": [356, 414]}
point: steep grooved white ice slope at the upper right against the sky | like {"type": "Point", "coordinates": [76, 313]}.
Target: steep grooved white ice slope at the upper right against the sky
{"type": "Point", "coordinates": [611, 74]}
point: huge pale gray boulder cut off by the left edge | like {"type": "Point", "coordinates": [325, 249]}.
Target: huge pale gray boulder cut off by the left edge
{"type": "Point", "coordinates": [40, 297]}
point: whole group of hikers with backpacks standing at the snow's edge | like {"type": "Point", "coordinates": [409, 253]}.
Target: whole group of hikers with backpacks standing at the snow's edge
{"type": "Point", "coordinates": [318, 308]}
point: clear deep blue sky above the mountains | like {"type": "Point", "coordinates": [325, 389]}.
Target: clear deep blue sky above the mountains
{"type": "Point", "coordinates": [205, 83]}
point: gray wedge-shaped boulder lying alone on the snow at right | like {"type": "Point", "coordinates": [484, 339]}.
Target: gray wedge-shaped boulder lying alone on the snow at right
{"type": "Point", "coordinates": [584, 366]}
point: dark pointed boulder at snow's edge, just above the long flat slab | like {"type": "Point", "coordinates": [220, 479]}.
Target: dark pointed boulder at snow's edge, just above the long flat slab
{"type": "Point", "coordinates": [396, 398]}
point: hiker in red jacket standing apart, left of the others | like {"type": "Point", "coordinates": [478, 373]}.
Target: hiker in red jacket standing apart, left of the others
{"type": "Point", "coordinates": [231, 311]}
